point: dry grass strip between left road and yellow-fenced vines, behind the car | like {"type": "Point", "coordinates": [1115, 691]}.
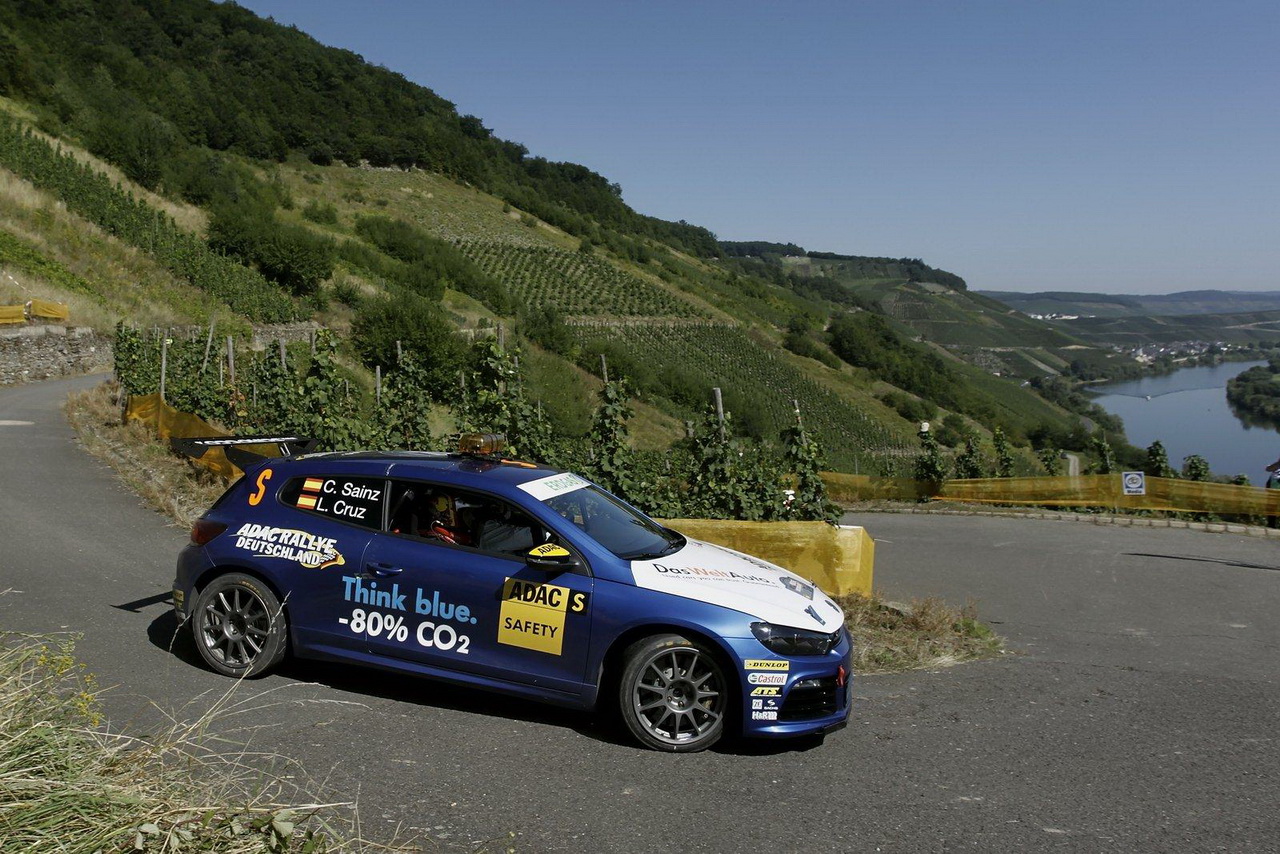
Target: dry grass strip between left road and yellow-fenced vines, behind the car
{"type": "Point", "coordinates": [172, 486]}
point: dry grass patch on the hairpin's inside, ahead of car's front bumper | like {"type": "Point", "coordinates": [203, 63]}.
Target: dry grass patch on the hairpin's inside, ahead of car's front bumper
{"type": "Point", "coordinates": [926, 634]}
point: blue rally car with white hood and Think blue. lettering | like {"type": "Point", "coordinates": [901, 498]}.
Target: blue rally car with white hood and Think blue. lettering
{"type": "Point", "coordinates": [514, 578]}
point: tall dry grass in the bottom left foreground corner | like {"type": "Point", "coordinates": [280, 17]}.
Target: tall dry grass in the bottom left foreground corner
{"type": "Point", "coordinates": [71, 784]}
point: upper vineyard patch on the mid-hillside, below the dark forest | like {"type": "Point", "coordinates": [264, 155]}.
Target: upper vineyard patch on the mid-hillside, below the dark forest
{"type": "Point", "coordinates": [575, 284]}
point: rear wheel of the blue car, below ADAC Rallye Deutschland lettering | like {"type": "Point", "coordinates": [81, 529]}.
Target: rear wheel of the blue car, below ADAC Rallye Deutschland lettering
{"type": "Point", "coordinates": [239, 627]}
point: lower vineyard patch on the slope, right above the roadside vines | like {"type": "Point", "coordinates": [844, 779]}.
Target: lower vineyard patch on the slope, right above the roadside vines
{"type": "Point", "coordinates": [729, 358]}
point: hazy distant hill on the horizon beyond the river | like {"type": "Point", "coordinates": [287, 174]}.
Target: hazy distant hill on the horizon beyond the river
{"type": "Point", "coordinates": [1114, 305]}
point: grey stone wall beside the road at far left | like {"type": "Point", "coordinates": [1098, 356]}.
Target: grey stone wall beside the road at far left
{"type": "Point", "coordinates": [33, 354]}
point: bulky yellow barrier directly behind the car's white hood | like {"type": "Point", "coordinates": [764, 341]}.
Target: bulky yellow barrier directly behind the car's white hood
{"type": "Point", "coordinates": [839, 560]}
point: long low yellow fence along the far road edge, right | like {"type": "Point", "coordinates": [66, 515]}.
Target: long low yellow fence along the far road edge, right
{"type": "Point", "coordinates": [1084, 491]}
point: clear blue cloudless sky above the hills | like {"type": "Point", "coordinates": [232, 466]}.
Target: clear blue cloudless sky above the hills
{"type": "Point", "coordinates": [1026, 145]}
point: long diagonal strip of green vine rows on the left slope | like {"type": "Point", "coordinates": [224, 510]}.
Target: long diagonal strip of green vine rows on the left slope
{"type": "Point", "coordinates": [94, 197]}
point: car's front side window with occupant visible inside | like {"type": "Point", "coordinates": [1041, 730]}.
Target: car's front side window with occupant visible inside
{"type": "Point", "coordinates": [460, 518]}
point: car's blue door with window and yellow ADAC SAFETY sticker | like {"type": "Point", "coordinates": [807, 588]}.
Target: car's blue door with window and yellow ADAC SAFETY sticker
{"type": "Point", "coordinates": [464, 599]}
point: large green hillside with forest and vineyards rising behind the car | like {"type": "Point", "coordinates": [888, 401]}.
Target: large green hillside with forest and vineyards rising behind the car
{"type": "Point", "coordinates": [154, 211]}
